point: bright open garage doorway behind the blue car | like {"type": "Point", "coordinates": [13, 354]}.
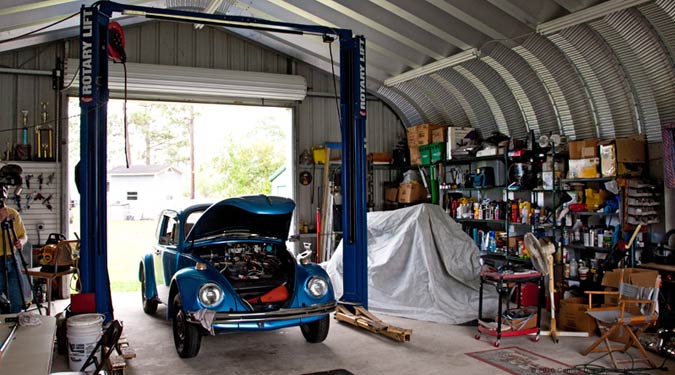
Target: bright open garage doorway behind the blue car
{"type": "Point", "coordinates": [178, 153]}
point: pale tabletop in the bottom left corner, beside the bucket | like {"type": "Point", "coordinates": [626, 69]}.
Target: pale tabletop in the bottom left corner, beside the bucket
{"type": "Point", "coordinates": [30, 351]}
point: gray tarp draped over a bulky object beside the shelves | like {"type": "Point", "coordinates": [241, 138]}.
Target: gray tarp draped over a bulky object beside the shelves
{"type": "Point", "coordinates": [421, 265]}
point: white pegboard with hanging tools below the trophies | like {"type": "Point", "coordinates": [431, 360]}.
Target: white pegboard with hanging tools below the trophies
{"type": "Point", "coordinates": [39, 199]}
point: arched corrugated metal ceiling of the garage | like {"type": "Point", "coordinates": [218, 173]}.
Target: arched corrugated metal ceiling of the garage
{"type": "Point", "coordinates": [610, 75]}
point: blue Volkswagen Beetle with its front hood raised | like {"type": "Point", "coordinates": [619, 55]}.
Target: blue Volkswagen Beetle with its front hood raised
{"type": "Point", "coordinates": [225, 267]}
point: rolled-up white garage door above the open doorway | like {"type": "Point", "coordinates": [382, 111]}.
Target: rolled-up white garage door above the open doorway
{"type": "Point", "coordinates": [150, 79]}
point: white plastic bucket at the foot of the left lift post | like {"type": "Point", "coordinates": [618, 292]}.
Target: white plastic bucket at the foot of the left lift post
{"type": "Point", "coordinates": [83, 332]}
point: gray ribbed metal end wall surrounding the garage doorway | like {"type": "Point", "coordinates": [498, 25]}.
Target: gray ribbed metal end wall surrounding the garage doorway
{"type": "Point", "coordinates": [316, 118]}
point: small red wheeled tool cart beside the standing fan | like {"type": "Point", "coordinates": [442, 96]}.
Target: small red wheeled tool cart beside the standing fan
{"type": "Point", "coordinates": [504, 282]}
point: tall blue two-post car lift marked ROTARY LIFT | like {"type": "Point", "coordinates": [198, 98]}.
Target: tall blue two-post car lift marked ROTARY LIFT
{"type": "Point", "coordinates": [93, 124]}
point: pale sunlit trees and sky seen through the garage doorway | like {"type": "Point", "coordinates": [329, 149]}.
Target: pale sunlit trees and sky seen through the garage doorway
{"type": "Point", "coordinates": [161, 133]}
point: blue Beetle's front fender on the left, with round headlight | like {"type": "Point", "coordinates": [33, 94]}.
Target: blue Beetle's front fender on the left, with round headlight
{"type": "Point", "coordinates": [189, 280]}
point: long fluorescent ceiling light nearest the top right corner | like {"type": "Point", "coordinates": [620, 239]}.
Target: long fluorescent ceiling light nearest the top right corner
{"type": "Point", "coordinates": [587, 15]}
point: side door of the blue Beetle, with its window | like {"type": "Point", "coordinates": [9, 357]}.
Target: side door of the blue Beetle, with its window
{"type": "Point", "coordinates": [164, 254]}
